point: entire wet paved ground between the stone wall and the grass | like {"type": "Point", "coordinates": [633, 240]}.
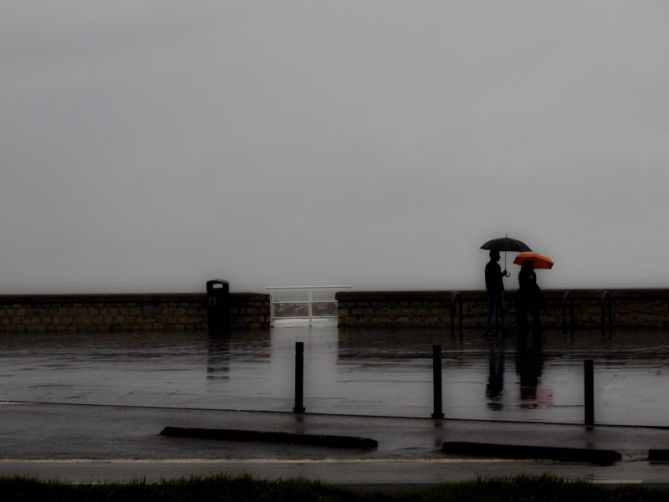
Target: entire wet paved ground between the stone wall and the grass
{"type": "Point", "coordinates": [87, 407]}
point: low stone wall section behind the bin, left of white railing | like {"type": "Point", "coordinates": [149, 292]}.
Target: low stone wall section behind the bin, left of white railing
{"type": "Point", "coordinates": [128, 312]}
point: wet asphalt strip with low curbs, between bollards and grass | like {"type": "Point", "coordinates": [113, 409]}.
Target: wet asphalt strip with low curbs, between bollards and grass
{"type": "Point", "coordinates": [89, 443]}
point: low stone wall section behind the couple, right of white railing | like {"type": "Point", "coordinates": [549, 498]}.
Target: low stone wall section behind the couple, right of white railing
{"type": "Point", "coordinates": [628, 308]}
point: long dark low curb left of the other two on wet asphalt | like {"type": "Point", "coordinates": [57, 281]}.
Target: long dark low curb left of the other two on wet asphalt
{"type": "Point", "coordinates": [346, 442]}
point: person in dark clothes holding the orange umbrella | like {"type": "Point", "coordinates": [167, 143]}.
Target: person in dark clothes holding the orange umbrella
{"type": "Point", "coordinates": [528, 297]}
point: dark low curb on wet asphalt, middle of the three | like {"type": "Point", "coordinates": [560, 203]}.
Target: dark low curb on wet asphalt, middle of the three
{"type": "Point", "coordinates": [593, 456]}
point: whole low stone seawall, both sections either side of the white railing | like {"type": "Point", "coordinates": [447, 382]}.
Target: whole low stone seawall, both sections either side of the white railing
{"type": "Point", "coordinates": [188, 312]}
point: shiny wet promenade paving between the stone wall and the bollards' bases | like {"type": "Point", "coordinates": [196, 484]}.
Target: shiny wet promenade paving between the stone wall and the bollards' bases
{"type": "Point", "coordinates": [376, 372]}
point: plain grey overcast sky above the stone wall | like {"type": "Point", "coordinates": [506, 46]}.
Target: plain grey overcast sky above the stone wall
{"type": "Point", "coordinates": [152, 145]}
